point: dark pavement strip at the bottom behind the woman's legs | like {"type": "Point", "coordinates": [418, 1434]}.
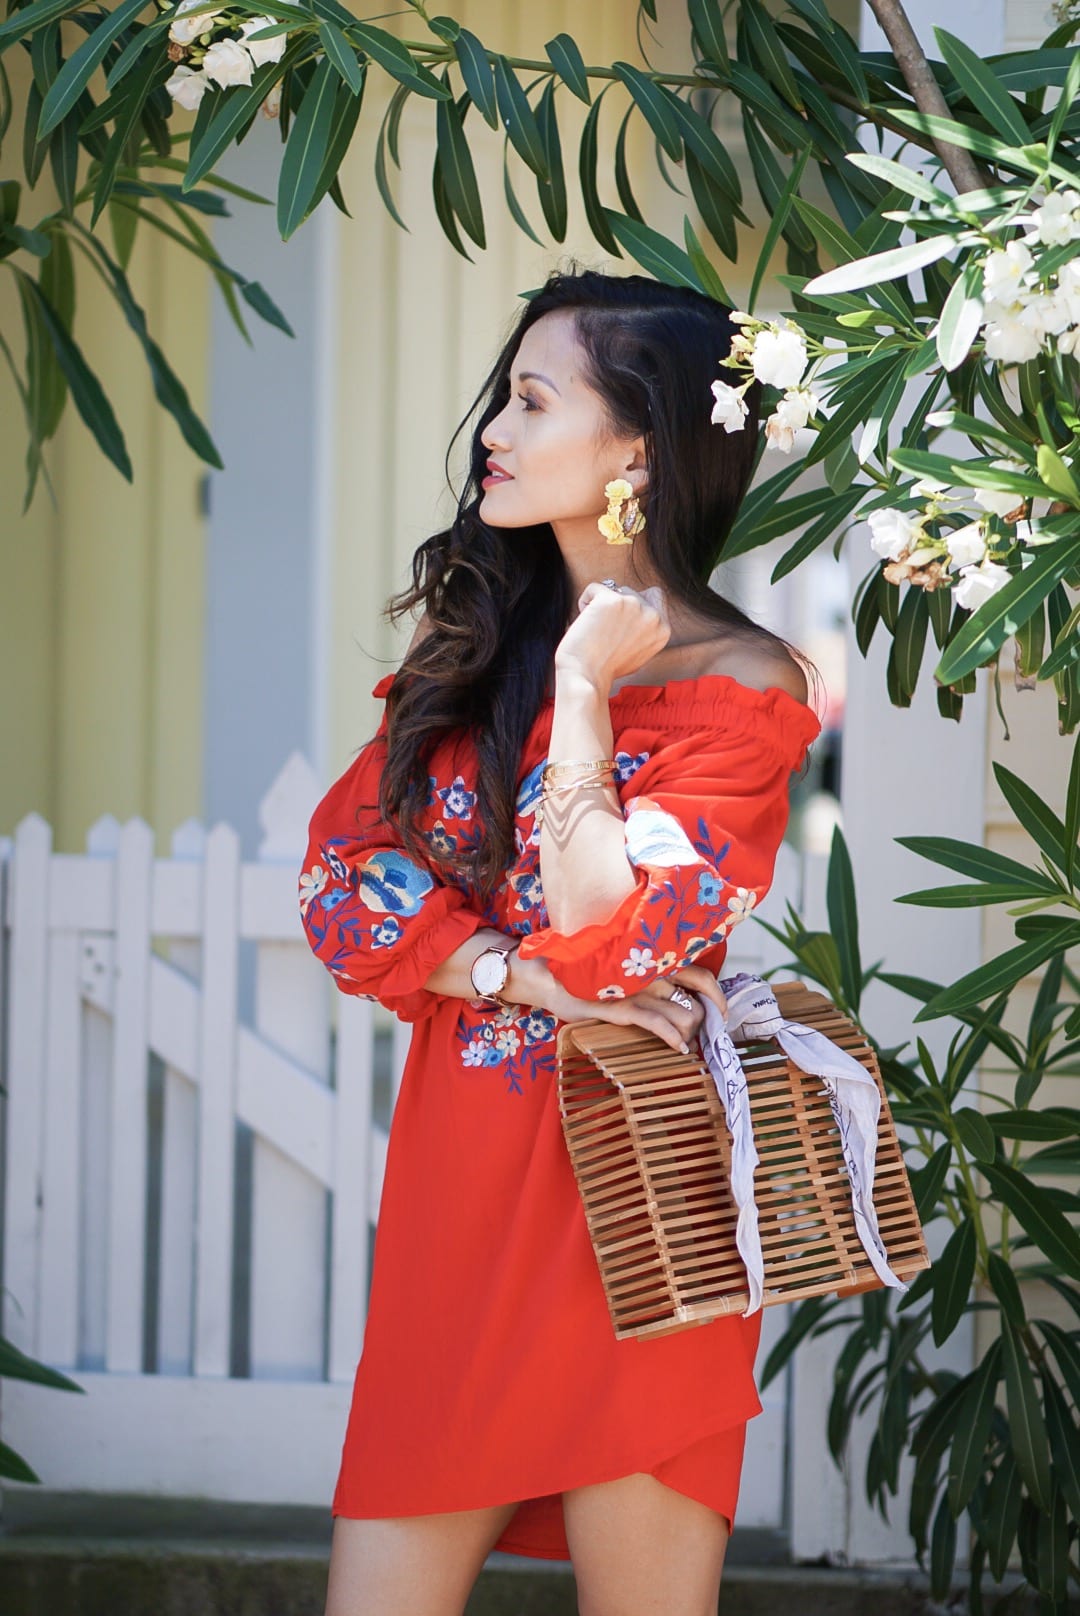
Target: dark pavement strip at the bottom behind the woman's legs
{"type": "Point", "coordinates": [83, 1555]}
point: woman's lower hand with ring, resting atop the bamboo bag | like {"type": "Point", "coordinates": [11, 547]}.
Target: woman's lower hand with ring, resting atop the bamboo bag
{"type": "Point", "coordinates": [652, 1009]}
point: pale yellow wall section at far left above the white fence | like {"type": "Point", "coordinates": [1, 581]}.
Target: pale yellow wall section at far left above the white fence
{"type": "Point", "coordinates": [101, 610]}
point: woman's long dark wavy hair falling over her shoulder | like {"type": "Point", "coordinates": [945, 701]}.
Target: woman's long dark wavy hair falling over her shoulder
{"type": "Point", "coordinates": [497, 600]}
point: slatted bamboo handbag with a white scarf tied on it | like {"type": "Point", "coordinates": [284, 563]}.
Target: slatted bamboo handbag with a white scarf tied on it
{"type": "Point", "coordinates": [652, 1156]}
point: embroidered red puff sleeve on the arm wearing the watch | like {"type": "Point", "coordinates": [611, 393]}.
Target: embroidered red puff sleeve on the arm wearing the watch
{"type": "Point", "coordinates": [378, 919]}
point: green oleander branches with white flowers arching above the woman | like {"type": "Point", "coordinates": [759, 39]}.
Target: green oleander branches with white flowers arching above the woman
{"type": "Point", "coordinates": [892, 311]}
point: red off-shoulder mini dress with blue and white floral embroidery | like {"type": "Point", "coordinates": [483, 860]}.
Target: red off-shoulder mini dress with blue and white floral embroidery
{"type": "Point", "coordinates": [491, 1371]}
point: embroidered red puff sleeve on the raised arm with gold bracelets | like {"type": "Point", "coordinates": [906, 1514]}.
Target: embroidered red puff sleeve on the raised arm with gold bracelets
{"type": "Point", "coordinates": [704, 825]}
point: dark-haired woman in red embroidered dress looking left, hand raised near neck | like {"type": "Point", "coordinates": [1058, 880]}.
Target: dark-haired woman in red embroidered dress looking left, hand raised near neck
{"type": "Point", "coordinates": [492, 1405]}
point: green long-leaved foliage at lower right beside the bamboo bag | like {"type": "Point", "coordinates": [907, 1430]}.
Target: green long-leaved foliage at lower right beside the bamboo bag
{"type": "Point", "coordinates": [995, 1450]}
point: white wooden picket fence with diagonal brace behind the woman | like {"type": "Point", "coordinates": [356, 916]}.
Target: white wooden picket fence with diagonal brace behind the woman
{"type": "Point", "coordinates": [196, 1132]}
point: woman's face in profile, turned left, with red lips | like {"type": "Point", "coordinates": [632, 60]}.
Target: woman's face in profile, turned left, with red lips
{"type": "Point", "coordinates": [552, 444]}
